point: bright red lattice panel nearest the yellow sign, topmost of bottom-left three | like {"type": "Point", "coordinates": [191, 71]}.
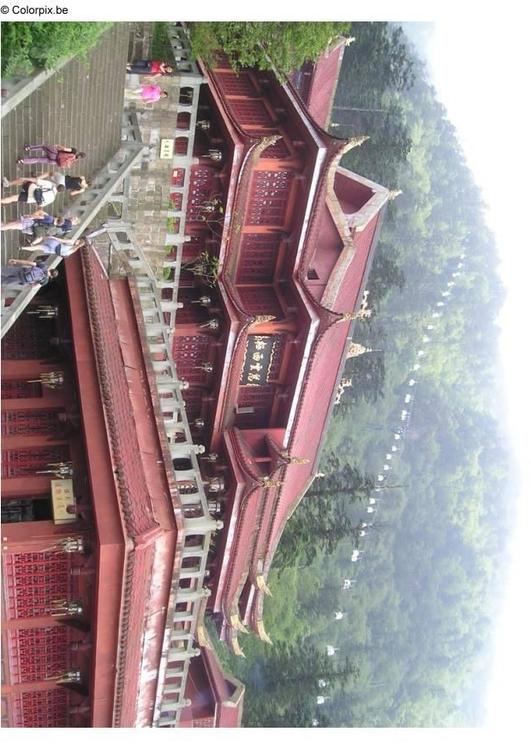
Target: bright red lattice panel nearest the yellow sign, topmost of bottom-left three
{"type": "Point", "coordinates": [33, 580]}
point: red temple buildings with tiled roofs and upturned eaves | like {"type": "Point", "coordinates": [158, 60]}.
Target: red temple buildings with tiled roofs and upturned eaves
{"type": "Point", "coordinates": [160, 427]}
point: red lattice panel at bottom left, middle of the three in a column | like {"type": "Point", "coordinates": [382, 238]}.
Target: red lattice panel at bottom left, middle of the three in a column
{"type": "Point", "coordinates": [37, 653]}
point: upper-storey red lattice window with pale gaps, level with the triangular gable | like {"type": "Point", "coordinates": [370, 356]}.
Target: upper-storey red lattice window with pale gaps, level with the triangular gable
{"type": "Point", "coordinates": [269, 198]}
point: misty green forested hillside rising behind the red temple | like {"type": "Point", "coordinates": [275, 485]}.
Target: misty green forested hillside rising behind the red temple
{"type": "Point", "coordinates": [412, 642]}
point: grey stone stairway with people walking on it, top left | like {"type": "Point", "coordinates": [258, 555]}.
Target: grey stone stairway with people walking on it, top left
{"type": "Point", "coordinates": [80, 106]}
